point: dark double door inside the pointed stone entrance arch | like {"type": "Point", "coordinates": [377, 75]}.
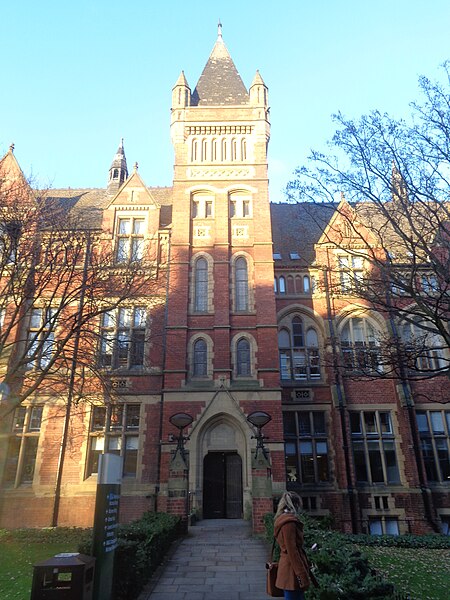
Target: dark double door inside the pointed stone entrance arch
{"type": "Point", "coordinates": [222, 485]}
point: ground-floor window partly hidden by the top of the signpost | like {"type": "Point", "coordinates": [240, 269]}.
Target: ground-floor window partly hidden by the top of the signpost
{"type": "Point", "coordinates": [114, 429]}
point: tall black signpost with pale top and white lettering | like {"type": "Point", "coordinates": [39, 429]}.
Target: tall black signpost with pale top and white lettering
{"type": "Point", "coordinates": [105, 523]}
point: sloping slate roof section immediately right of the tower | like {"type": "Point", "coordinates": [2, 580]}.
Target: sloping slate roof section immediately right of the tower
{"type": "Point", "coordinates": [296, 228]}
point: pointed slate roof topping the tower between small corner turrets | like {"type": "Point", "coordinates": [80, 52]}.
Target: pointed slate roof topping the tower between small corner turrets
{"type": "Point", "coordinates": [220, 83]}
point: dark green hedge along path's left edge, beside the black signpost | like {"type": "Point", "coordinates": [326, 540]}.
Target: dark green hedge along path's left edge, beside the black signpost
{"type": "Point", "coordinates": [141, 547]}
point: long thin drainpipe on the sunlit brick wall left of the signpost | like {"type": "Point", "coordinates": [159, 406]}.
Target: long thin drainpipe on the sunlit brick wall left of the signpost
{"type": "Point", "coordinates": [71, 385]}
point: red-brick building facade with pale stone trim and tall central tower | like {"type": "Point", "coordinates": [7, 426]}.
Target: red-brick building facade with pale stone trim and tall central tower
{"type": "Point", "coordinates": [236, 318]}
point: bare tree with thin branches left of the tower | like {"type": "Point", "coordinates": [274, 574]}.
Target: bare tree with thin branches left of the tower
{"type": "Point", "coordinates": [59, 277]}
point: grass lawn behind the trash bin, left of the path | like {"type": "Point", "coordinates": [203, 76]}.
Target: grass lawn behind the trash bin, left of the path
{"type": "Point", "coordinates": [17, 558]}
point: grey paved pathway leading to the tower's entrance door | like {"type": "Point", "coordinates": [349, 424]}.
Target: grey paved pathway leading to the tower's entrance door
{"type": "Point", "coordinates": [218, 560]}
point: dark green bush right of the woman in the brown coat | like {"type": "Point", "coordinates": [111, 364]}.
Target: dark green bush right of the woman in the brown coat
{"type": "Point", "coordinates": [342, 571]}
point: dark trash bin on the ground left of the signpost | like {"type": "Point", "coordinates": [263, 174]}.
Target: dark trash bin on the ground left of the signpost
{"type": "Point", "coordinates": [67, 576]}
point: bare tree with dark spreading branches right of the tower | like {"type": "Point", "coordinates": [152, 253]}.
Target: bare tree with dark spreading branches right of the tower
{"type": "Point", "coordinates": [393, 223]}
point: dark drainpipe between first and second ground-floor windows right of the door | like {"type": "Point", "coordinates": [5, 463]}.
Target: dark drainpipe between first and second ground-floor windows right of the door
{"type": "Point", "coordinates": [341, 407]}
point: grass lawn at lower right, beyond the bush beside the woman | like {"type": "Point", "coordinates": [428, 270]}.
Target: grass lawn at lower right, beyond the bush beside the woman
{"type": "Point", "coordinates": [423, 573]}
